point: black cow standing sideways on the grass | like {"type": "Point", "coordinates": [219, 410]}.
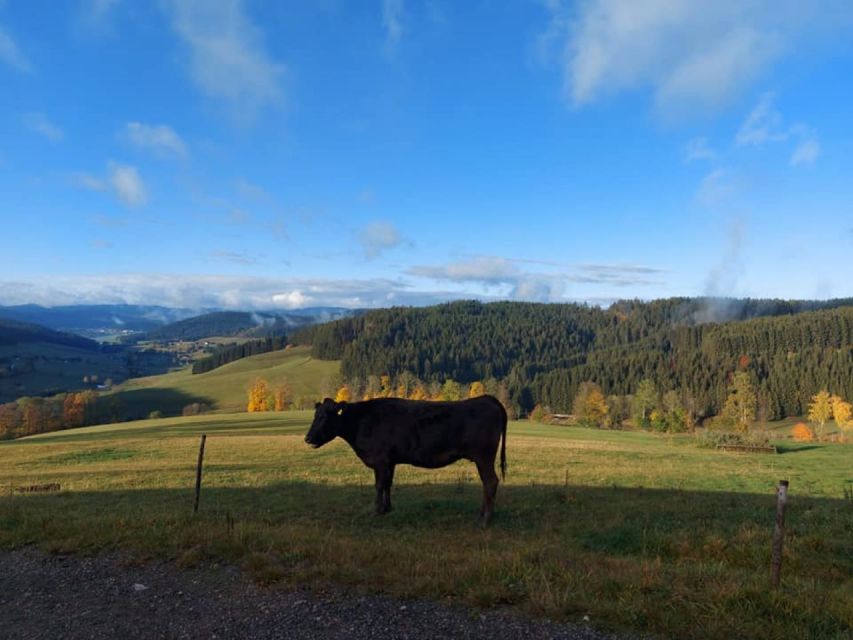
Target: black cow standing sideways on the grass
{"type": "Point", "coordinates": [386, 432]}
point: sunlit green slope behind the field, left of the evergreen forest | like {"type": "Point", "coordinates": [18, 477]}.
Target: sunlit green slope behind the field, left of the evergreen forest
{"type": "Point", "coordinates": [225, 388]}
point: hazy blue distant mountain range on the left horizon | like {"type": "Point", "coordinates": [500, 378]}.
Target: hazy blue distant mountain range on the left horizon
{"type": "Point", "coordinates": [98, 321]}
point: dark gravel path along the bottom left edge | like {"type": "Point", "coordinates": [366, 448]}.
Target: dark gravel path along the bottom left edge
{"type": "Point", "coordinates": [71, 597]}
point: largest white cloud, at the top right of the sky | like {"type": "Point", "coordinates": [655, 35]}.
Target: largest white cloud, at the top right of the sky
{"type": "Point", "coordinates": [688, 55]}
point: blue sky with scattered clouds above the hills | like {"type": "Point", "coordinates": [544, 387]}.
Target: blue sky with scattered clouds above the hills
{"type": "Point", "coordinates": [285, 154]}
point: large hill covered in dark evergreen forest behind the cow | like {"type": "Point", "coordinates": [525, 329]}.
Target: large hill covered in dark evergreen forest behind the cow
{"type": "Point", "coordinates": [791, 349]}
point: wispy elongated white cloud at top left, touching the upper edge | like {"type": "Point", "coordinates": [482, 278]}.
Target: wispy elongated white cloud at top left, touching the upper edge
{"type": "Point", "coordinates": [227, 59]}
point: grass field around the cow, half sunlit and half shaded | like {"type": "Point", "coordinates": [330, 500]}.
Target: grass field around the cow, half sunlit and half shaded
{"type": "Point", "coordinates": [637, 531]}
